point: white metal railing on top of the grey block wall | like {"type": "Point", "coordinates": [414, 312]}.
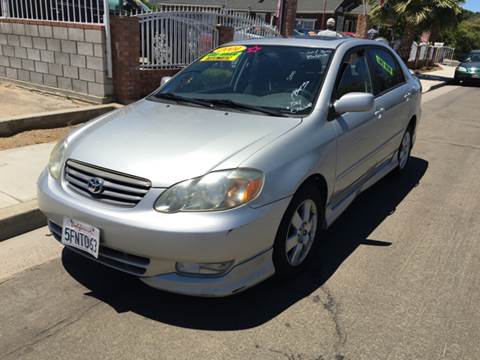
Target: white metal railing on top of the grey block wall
{"type": "Point", "coordinates": [80, 11]}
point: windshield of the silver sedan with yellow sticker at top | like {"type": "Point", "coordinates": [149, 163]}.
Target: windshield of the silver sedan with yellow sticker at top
{"type": "Point", "coordinates": [274, 79]}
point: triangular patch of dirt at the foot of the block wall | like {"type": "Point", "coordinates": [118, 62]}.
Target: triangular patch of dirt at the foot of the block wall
{"type": "Point", "coordinates": [16, 100]}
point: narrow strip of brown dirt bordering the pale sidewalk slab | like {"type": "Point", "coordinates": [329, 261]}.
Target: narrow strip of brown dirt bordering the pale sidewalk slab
{"type": "Point", "coordinates": [34, 137]}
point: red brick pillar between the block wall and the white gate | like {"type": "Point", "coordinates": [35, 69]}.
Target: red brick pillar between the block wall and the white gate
{"type": "Point", "coordinates": [125, 57]}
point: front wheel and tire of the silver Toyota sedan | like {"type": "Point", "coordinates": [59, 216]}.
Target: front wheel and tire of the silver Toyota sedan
{"type": "Point", "coordinates": [298, 233]}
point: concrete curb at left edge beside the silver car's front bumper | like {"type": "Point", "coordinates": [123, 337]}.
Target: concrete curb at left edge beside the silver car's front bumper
{"type": "Point", "coordinates": [19, 219]}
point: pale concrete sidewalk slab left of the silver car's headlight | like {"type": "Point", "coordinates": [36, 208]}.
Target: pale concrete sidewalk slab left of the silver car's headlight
{"type": "Point", "coordinates": [19, 169]}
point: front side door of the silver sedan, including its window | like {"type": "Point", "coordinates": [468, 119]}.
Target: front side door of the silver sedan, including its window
{"type": "Point", "coordinates": [356, 140]}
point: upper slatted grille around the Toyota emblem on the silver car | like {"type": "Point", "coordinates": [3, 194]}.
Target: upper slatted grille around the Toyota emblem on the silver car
{"type": "Point", "coordinates": [118, 189]}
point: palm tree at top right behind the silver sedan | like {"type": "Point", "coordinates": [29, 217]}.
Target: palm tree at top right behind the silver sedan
{"type": "Point", "coordinates": [416, 16]}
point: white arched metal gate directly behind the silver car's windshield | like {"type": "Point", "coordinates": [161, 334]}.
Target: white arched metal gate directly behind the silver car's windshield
{"type": "Point", "coordinates": [176, 35]}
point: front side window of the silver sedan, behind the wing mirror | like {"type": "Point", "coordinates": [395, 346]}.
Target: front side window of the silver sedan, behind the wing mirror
{"type": "Point", "coordinates": [355, 75]}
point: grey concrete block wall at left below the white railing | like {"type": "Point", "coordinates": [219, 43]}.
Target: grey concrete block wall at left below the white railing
{"type": "Point", "coordinates": [64, 57]}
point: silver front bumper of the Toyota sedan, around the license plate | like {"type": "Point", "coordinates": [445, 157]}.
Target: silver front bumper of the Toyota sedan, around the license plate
{"type": "Point", "coordinates": [145, 243]}
